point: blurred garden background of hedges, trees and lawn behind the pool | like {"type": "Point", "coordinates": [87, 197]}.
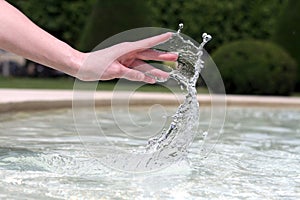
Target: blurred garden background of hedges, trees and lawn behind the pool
{"type": "Point", "coordinates": [256, 44]}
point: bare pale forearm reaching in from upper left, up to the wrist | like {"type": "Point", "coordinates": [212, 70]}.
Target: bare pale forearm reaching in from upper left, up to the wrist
{"type": "Point", "coordinates": [19, 35]}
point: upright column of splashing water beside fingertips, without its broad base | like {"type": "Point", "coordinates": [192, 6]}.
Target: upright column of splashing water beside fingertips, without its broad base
{"type": "Point", "coordinates": [186, 74]}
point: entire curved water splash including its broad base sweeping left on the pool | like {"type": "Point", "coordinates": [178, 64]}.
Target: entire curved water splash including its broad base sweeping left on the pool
{"type": "Point", "coordinates": [171, 145]}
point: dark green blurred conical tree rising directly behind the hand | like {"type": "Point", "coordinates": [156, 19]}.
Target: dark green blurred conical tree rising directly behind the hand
{"type": "Point", "coordinates": [111, 17]}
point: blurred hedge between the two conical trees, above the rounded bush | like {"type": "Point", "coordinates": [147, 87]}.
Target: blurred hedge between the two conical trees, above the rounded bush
{"type": "Point", "coordinates": [225, 20]}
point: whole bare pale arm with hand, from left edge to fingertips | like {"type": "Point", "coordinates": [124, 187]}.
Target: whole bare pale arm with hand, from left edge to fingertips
{"type": "Point", "coordinates": [125, 60]}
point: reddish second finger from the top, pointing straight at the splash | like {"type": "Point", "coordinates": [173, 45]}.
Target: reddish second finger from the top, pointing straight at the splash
{"type": "Point", "coordinates": [151, 54]}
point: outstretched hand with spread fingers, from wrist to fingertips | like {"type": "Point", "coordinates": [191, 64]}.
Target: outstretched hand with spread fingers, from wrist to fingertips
{"type": "Point", "coordinates": [126, 60]}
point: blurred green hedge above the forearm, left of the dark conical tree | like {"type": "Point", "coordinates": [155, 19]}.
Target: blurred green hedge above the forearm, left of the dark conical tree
{"type": "Point", "coordinates": [63, 19]}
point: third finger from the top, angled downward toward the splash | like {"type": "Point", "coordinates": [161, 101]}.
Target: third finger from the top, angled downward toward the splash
{"type": "Point", "coordinates": [149, 69]}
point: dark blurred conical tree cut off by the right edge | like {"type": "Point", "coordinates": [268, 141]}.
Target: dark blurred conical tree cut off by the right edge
{"type": "Point", "coordinates": [287, 33]}
